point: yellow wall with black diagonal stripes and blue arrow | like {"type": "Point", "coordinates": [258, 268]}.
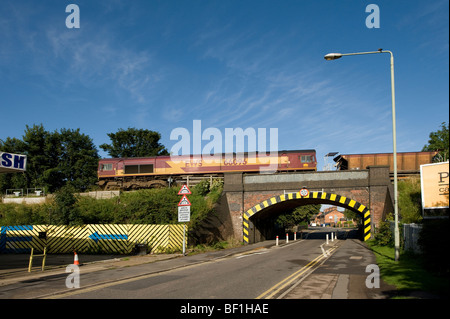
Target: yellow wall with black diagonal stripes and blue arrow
{"type": "Point", "coordinates": [90, 238]}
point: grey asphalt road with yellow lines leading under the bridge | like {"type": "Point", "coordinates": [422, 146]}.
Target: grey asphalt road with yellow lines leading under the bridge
{"type": "Point", "coordinates": [304, 269]}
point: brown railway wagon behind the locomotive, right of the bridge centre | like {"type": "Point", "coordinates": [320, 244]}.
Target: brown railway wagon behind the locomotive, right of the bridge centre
{"type": "Point", "coordinates": [407, 162]}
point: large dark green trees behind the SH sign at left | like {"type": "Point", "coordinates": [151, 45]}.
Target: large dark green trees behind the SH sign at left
{"type": "Point", "coordinates": [54, 159]}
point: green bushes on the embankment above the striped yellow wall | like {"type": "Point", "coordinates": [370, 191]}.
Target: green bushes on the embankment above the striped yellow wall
{"type": "Point", "coordinates": [149, 206]}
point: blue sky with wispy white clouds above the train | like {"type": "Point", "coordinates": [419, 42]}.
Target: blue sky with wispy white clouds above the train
{"type": "Point", "coordinates": [160, 65]}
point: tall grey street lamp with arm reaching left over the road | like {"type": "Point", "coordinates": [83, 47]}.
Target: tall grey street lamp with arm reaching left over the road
{"type": "Point", "coordinates": [335, 56]}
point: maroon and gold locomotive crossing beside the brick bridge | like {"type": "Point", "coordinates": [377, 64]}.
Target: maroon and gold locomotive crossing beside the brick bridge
{"type": "Point", "coordinates": [153, 172]}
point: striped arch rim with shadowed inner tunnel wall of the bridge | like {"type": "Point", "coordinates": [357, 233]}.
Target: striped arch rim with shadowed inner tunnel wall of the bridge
{"type": "Point", "coordinates": [260, 220]}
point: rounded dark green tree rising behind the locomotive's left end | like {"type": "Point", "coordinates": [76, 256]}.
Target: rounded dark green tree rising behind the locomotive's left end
{"type": "Point", "coordinates": [134, 143]}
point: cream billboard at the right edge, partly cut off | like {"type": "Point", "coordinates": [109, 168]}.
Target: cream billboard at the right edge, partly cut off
{"type": "Point", "coordinates": [434, 185]}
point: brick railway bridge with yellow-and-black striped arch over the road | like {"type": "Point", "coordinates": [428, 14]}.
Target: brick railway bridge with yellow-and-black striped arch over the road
{"type": "Point", "coordinates": [251, 202]}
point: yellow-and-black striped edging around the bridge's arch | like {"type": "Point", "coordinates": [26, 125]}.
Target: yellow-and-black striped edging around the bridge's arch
{"type": "Point", "coordinates": [323, 197]}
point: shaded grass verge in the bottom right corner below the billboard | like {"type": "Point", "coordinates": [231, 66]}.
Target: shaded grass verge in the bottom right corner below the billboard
{"type": "Point", "coordinates": [409, 274]}
